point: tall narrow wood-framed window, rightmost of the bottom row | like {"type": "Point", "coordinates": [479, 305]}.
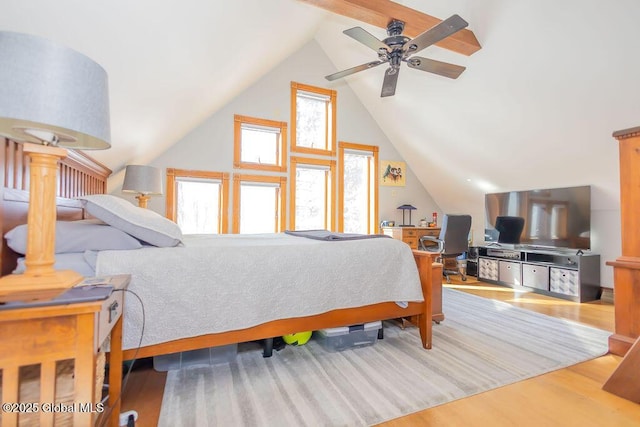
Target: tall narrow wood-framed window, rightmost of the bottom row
{"type": "Point", "coordinates": [358, 188]}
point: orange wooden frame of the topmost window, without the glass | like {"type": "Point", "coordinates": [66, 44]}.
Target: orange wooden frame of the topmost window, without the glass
{"type": "Point", "coordinates": [330, 127]}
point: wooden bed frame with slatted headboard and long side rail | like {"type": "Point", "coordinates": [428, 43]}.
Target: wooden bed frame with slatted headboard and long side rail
{"type": "Point", "coordinates": [80, 175]}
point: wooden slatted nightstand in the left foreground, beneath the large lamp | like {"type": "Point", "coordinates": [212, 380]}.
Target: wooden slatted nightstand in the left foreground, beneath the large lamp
{"type": "Point", "coordinates": [67, 327]}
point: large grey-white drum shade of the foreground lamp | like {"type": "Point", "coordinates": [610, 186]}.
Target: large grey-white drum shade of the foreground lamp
{"type": "Point", "coordinates": [48, 88]}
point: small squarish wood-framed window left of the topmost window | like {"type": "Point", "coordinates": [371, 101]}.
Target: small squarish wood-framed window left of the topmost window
{"type": "Point", "coordinates": [259, 144]}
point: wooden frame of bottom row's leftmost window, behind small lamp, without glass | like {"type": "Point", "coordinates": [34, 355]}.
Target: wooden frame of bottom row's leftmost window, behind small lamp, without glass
{"type": "Point", "coordinates": [171, 209]}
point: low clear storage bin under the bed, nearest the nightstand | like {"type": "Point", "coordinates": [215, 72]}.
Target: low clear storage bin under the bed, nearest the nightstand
{"type": "Point", "coordinates": [201, 356]}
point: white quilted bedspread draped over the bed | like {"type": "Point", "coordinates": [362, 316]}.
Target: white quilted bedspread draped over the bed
{"type": "Point", "coordinates": [228, 282]}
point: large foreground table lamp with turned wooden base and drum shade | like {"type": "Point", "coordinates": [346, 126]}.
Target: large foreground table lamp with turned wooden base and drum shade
{"type": "Point", "coordinates": [50, 97]}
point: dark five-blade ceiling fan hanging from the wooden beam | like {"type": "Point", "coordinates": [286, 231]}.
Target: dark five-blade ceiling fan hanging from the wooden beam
{"type": "Point", "coordinates": [397, 48]}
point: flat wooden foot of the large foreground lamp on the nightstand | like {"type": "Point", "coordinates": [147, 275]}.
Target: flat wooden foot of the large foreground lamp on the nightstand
{"type": "Point", "coordinates": [29, 287]}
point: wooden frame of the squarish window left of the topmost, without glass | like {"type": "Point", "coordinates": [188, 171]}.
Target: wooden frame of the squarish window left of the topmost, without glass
{"type": "Point", "coordinates": [281, 154]}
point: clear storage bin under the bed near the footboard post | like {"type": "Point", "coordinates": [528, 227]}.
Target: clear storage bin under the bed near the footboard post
{"type": "Point", "coordinates": [342, 338]}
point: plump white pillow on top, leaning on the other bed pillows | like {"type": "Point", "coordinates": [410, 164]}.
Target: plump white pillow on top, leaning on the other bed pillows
{"type": "Point", "coordinates": [143, 224]}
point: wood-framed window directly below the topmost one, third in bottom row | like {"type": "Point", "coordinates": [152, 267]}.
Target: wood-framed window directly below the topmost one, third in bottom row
{"type": "Point", "coordinates": [312, 195]}
